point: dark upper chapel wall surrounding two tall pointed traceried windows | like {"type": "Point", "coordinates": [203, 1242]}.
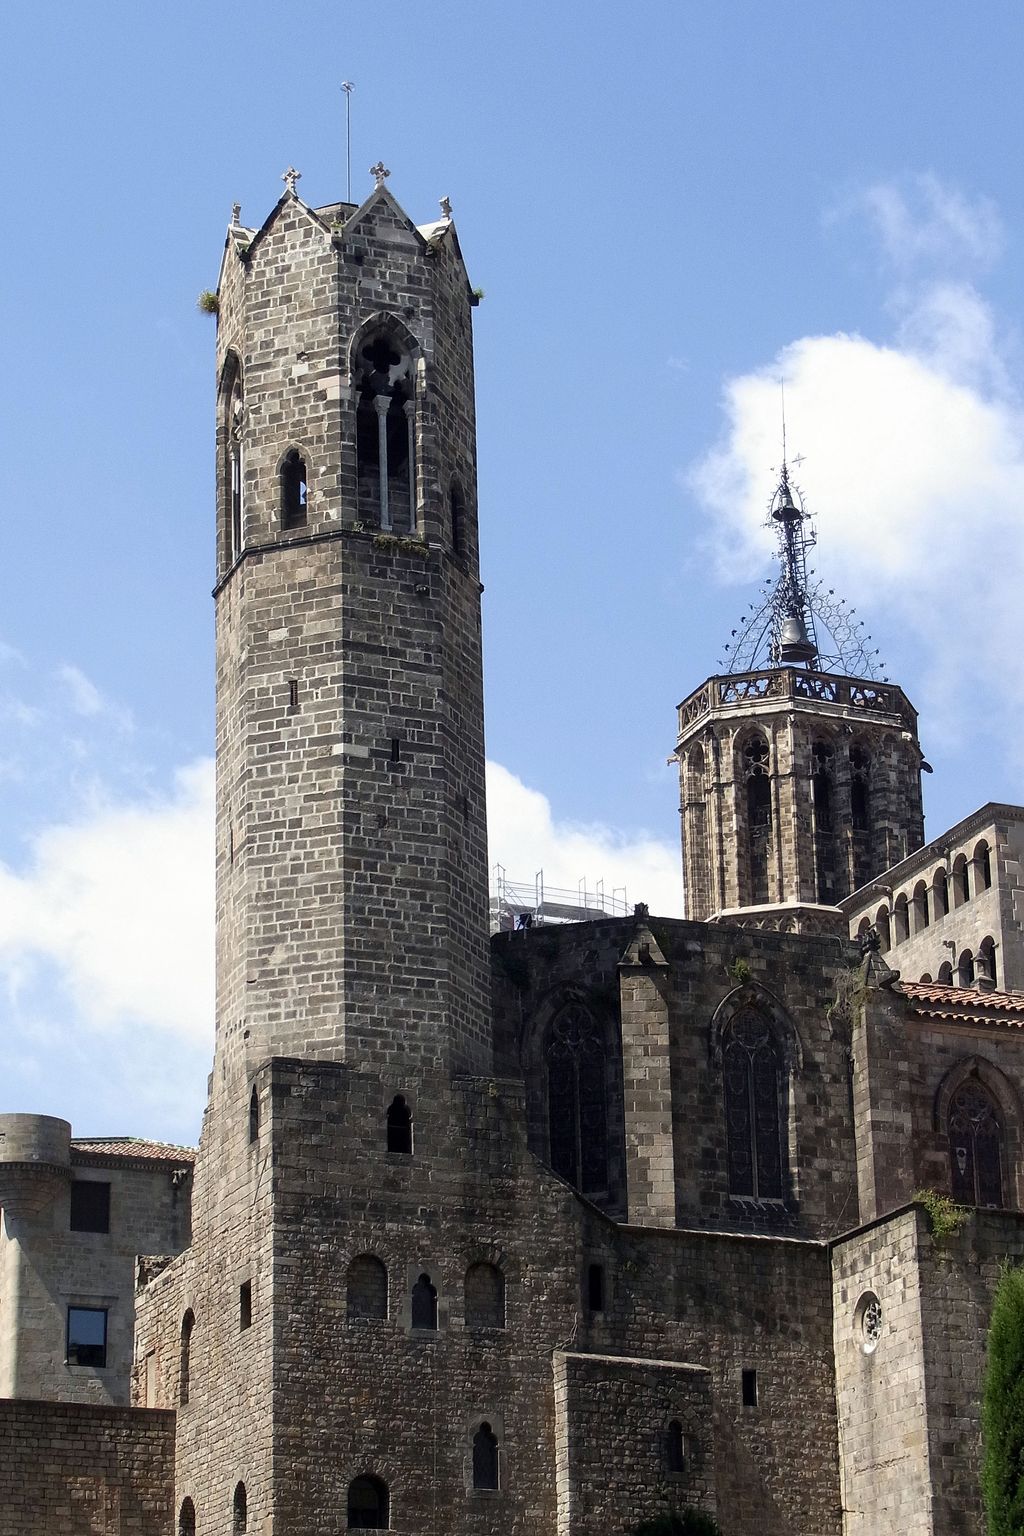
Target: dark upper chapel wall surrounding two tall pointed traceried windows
{"type": "Point", "coordinates": [793, 978]}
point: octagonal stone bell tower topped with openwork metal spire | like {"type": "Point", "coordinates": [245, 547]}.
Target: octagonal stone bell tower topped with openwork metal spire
{"type": "Point", "coordinates": [801, 769]}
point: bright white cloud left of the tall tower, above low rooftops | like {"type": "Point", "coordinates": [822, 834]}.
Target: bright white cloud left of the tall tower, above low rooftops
{"type": "Point", "coordinates": [121, 904]}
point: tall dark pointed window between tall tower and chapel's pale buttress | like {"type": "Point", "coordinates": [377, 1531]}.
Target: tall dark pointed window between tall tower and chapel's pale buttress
{"type": "Point", "coordinates": [578, 1113]}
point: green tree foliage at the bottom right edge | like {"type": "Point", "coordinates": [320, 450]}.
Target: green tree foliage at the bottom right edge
{"type": "Point", "coordinates": [1003, 1411]}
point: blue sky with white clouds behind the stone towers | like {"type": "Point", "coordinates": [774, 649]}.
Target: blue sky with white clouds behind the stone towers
{"type": "Point", "coordinates": [669, 207]}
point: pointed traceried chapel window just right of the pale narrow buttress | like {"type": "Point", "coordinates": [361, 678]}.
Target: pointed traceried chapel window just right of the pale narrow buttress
{"type": "Point", "coordinates": [753, 1093]}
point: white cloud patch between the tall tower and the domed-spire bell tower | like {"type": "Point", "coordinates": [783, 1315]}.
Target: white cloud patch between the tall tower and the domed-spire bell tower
{"type": "Point", "coordinates": [524, 836]}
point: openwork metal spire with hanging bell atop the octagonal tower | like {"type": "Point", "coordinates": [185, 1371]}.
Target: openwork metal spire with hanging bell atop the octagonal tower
{"type": "Point", "coordinates": [799, 623]}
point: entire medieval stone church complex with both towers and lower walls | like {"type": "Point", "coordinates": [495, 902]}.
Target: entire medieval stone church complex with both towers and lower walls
{"type": "Point", "coordinates": [547, 1234]}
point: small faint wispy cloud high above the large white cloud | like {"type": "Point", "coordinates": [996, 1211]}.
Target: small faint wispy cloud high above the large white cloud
{"type": "Point", "coordinates": [928, 223]}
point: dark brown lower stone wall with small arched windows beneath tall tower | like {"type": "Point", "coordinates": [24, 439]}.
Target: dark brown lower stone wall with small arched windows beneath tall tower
{"type": "Point", "coordinates": [378, 1397]}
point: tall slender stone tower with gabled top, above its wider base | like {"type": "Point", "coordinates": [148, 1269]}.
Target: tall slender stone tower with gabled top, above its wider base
{"type": "Point", "coordinates": [351, 859]}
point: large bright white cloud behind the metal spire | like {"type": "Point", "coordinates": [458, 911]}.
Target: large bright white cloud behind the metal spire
{"type": "Point", "coordinates": [916, 466]}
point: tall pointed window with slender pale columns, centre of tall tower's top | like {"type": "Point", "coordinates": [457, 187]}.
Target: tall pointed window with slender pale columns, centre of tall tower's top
{"type": "Point", "coordinates": [386, 434]}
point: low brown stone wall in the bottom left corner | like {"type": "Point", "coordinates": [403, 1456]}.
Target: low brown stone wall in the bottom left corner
{"type": "Point", "coordinates": [82, 1471]}
